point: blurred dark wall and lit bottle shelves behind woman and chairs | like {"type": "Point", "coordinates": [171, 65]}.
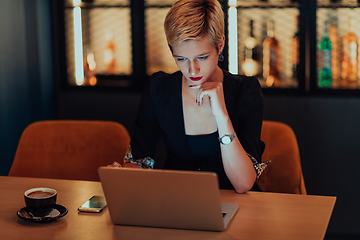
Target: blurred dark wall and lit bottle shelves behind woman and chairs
{"type": "Point", "coordinates": [64, 59]}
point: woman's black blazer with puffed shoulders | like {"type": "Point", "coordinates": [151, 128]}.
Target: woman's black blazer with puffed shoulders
{"type": "Point", "coordinates": [161, 115]}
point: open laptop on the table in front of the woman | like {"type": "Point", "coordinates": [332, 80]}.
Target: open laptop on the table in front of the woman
{"type": "Point", "coordinates": [165, 198]}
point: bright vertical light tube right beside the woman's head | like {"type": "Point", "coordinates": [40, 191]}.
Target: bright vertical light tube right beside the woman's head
{"type": "Point", "coordinates": [233, 38]}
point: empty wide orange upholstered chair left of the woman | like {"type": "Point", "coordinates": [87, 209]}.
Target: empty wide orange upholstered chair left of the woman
{"type": "Point", "coordinates": [69, 149]}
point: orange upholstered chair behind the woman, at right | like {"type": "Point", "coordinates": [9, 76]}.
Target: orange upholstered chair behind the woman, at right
{"type": "Point", "coordinates": [284, 173]}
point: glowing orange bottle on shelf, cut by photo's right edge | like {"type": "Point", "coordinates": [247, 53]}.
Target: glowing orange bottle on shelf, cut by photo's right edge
{"type": "Point", "coordinates": [349, 65]}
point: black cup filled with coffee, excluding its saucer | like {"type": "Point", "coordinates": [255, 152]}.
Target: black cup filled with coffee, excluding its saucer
{"type": "Point", "coordinates": [40, 197]}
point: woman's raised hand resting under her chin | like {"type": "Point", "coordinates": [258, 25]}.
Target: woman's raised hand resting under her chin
{"type": "Point", "coordinates": [214, 92]}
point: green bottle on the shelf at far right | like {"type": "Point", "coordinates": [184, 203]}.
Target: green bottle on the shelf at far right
{"type": "Point", "coordinates": [326, 47]}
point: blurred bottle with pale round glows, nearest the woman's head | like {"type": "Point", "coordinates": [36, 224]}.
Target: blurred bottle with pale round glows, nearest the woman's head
{"type": "Point", "coordinates": [250, 66]}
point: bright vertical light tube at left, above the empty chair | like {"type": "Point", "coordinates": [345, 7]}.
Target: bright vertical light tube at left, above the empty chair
{"type": "Point", "coordinates": [79, 64]}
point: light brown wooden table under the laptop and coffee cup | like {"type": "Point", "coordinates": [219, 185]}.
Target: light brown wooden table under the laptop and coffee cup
{"type": "Point", "coordinates": [260, 216]}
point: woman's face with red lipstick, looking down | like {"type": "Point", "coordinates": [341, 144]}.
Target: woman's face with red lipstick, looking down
{"type": "Point", "coordinates": [197, 60]}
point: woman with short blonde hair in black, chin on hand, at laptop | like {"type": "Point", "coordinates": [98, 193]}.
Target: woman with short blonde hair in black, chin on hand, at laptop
{"type": "Point", "coordinates": [209, 119]}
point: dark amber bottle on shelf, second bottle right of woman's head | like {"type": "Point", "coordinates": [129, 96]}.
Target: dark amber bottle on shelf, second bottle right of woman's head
{"type": "Point", "coordinates": [271, 57]}
